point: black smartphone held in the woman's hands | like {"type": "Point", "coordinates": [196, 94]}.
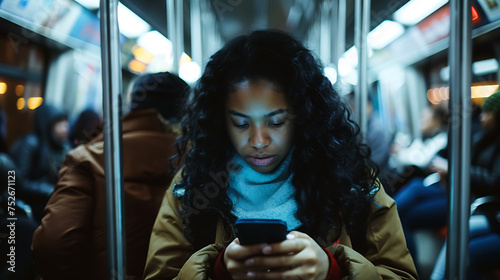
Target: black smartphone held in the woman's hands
{"type": "Point", "coordinates": [254, 231]}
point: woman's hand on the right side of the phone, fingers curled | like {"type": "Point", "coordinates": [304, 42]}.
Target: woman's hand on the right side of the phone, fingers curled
{"type": "Point", "coordinates": [298, 257]}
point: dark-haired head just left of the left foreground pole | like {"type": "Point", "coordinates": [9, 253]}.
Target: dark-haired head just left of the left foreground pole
{"type": "Point", "coordinates": [86, 127]}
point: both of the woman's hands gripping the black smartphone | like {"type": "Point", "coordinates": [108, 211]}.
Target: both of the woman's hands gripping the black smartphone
{"type": "Point", "coordinates": [298, 257]}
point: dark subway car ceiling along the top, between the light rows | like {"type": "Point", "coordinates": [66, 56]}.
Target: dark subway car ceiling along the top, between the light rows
{"type": "Point", "coordinates": [236, 17]}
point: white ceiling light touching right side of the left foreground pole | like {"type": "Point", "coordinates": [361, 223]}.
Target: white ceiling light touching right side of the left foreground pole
{"type": "Point", "coordinates": [130, 24]}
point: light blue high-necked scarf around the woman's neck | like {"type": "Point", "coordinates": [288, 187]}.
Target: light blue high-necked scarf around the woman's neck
{"type": "Point", "coordinates": [264, 196]}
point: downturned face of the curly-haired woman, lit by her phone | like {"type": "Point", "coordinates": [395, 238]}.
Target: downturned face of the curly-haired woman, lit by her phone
{"type": "Point", "coordinates": [259, 123]}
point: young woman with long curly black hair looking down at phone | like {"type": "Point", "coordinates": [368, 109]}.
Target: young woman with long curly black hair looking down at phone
{"type": "Point", "coordinates": [266, 136]}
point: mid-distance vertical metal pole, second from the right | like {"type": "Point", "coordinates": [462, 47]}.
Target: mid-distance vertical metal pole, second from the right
{"type": "Point", "coordinates": [362, 24]}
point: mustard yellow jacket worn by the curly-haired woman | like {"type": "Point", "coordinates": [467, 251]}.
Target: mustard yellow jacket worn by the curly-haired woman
{"type": "Point", "coordinates": [172, 256]}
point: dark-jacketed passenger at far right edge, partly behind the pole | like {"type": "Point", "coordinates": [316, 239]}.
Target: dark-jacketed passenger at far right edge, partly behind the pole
{"type": "Point", "coordinates": [484, 228]}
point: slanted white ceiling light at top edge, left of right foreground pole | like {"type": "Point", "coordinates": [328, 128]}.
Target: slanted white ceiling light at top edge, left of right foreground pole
{"type": "Point", "coordinates": [416, 10]}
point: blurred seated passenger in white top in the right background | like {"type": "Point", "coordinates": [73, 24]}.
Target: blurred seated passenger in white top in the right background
{"type": "Point", "coordinates": [413, 160]}
